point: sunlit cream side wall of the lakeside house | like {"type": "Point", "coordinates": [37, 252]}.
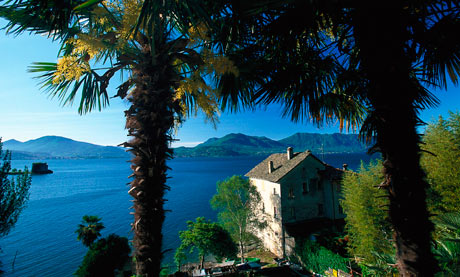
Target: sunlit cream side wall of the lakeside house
{"type": "Point", "coordinates": [271, 235]}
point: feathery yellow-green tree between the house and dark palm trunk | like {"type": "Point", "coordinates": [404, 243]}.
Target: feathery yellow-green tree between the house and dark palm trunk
{"type": "Point", "coordinates": [367, 222]}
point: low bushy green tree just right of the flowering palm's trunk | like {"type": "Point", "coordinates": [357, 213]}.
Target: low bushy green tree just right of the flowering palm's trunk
{"type": "Point", "coordinates": [206, 238]}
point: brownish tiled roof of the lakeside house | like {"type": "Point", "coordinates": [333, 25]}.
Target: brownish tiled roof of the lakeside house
{"type": "Point", "coordinates": [281, 165]}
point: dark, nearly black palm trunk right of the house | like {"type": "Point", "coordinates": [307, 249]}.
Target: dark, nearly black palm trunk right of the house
{"type": "Point", "coordinates": [381, 35]}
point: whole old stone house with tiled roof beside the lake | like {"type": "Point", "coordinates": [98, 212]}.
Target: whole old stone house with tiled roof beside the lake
{"type": "Point", "coordinates": [299, 193]}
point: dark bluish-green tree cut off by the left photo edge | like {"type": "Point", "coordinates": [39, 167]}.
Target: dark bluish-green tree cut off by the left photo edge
{"type": "Point", "coordinates": [14, 193]}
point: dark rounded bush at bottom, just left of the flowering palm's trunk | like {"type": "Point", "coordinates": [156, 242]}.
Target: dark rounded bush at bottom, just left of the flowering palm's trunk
{"type": "Point", "coordinates": [105, 256]}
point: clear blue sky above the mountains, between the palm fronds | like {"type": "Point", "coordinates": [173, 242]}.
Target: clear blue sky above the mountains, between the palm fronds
{"type": "Point", "coordinates": [26, 112]}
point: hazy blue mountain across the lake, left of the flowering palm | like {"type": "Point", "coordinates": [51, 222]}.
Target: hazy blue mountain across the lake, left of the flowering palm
{"type": "Point", "coordinates": [60, 147]}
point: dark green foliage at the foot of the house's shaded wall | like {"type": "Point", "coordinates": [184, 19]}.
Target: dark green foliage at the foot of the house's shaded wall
{"type": "Point", "coordinates": [318, 259]}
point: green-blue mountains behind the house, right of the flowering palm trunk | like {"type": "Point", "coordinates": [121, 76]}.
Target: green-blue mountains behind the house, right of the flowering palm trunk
{"type": "Point", "coordinates": [244, 145]}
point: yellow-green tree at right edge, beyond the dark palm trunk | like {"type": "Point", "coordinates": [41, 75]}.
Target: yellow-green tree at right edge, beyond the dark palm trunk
{"type": "Point", "coordinates": [441, 162]}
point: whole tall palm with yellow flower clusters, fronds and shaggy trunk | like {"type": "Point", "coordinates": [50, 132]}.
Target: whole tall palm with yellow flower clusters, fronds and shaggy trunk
{"type": "Point", "coordinates": [163, 59]}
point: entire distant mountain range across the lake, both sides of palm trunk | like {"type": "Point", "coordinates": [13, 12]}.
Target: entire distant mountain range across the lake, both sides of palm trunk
{"type": "Point", "coordinates": [54, 147]}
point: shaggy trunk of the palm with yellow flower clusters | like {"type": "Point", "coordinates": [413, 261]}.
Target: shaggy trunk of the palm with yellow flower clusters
{"type": "Point", "coordinates": [149, 121]}
